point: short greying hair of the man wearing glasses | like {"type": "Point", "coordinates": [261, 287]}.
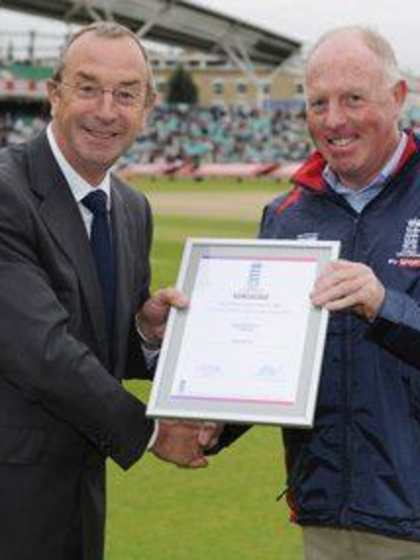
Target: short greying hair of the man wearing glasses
{"type": "Point", "coordinates": [108, 30]}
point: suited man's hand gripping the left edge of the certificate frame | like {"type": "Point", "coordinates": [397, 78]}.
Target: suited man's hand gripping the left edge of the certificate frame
{"type": "Point", "coordinates": [151, 318]}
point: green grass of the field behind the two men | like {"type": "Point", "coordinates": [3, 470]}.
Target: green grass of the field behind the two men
{"type": "Point", "coordinates": [229, 510]}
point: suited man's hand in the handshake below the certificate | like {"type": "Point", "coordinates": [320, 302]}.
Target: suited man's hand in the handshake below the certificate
{"type": "Point", "coordinates": [178, 442]}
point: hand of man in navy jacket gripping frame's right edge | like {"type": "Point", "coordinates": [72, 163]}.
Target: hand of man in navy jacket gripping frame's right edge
{"type": "Point", "coordinates": [349, 285]}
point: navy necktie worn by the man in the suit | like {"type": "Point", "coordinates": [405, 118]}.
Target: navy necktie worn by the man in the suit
{"type": "Point", "coordinates": [101, 243]}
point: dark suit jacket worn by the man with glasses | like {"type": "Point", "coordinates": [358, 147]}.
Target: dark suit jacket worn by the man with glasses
{"type": "Point", "coordinates": [62, 407]}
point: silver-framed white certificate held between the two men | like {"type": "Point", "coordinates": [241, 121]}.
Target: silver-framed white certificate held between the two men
{"type": "Point", "coordinates": [249, 347]}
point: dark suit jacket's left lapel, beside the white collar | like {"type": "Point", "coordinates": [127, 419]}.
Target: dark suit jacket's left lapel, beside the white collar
{"type": "Point", "coordinates": [62, 217]}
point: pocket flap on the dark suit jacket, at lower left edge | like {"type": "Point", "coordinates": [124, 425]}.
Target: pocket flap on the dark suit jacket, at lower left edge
{"type": "Point", "coordinates": [21, 446]}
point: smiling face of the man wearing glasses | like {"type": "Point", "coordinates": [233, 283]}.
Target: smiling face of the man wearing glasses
{"type": "Point", "coordinates": [93, 133]}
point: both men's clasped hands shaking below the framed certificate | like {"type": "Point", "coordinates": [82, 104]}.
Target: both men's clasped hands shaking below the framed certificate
{"type": "Point", "coordinates": [185, 442]}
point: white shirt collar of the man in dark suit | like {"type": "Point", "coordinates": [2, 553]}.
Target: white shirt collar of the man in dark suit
{"type": "Point", "coordinates": [78, 186]}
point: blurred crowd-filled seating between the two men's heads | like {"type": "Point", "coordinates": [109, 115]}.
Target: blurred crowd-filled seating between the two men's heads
{"type": "Point", "coordinates": [199, 135]}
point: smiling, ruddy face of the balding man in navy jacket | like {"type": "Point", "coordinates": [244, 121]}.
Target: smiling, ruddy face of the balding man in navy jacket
{"type": "Point", "coordinates": [352, 109]}
